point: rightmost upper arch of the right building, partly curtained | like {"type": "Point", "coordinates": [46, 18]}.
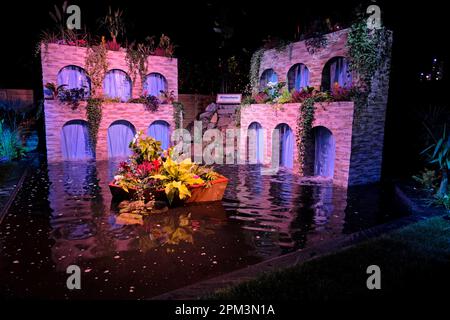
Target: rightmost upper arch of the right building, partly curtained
{"type": "Point", "coordinates": [336, 71]}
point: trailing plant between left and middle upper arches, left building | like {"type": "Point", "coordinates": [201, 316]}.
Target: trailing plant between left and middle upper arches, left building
{"type": "Point", "coordinates": [96, 66]}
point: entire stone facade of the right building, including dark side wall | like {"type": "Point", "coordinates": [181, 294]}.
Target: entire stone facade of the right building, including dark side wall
{"type": "Point", "coordinates": [359, 134]}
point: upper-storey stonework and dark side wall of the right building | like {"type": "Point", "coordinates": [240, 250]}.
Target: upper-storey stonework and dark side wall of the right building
{"type": "Point", "coordinates": [368, 123]}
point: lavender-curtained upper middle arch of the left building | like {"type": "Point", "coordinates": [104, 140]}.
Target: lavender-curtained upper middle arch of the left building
{"type": "Point", "coordinates": [117, 84]}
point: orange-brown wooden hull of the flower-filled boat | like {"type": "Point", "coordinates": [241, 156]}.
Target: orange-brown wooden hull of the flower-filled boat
{"type": "Point", "coordinates": [199, 192]}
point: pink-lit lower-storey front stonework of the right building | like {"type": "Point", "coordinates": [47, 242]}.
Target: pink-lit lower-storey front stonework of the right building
{"type": "Point", "coordinates": [335, 116]}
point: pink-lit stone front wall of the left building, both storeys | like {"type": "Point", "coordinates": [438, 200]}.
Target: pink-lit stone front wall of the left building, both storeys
{"type": "Point", "coordinates": [55, 57]}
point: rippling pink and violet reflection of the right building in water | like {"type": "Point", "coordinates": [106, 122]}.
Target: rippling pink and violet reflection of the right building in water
{"type": "Point", "coordinates": [284, 213]}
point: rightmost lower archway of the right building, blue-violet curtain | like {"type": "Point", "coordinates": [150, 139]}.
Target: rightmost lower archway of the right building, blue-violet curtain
{"type": "Point", "coordinates": [325, 151]}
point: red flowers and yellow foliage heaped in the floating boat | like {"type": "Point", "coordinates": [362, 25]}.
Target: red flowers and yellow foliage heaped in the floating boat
{"type": "Point", "coordinates": [151, 171]}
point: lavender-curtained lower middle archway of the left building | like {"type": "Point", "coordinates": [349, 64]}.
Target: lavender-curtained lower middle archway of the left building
{"type": "Point", "coordinates": [120, 134]}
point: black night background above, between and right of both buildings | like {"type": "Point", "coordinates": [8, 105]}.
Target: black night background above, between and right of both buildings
{"type": "Point", "coordinates": [420, 34]}
